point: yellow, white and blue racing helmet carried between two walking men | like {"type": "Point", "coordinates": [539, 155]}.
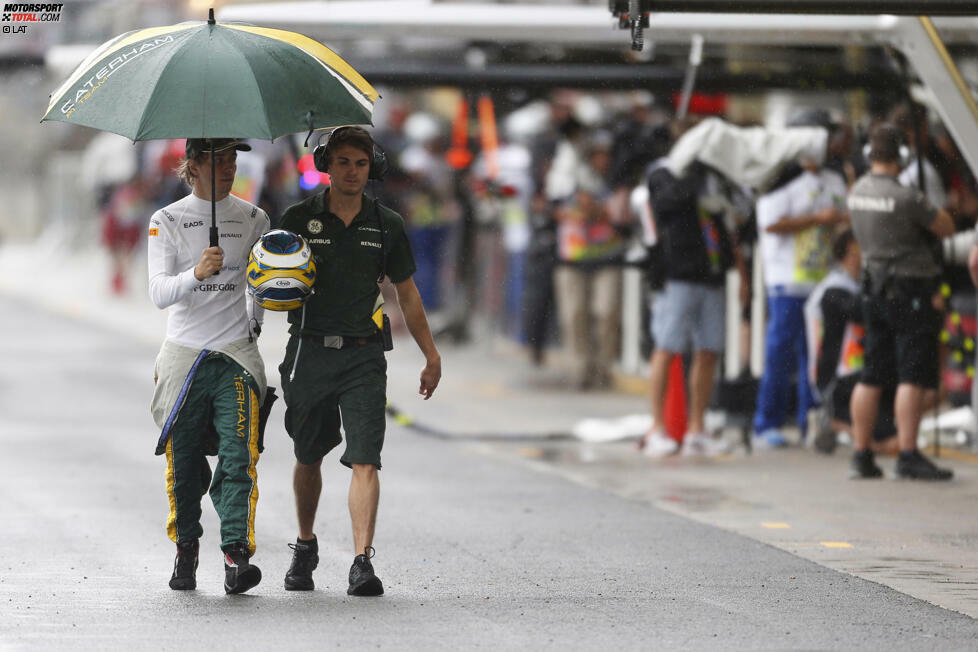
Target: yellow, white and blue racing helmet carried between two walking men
{"type": "Point", "coordinates": [281, 271]}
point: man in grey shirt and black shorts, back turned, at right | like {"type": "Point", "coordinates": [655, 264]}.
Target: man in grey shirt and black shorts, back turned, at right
{"type": "Point", "coordinates": [901, 305]}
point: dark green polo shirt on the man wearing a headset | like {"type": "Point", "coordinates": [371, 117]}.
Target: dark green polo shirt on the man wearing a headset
{"type": "Point", "coordinates": [348, 263]}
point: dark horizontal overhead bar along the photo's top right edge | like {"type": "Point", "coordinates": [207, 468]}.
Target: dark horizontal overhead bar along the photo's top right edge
{"type": "Point", "coordinates": [836, 7]}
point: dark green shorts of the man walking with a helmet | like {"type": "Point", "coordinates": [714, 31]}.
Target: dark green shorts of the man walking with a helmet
{"type": "Point", "coordinates": [330, 387]}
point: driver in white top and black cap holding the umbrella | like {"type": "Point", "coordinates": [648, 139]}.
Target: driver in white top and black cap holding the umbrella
{"type": "Point", "coordinates": [210, 377]}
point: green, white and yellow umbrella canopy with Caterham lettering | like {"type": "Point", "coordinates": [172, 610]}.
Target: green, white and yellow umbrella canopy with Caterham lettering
{"type": "Point", "coordinates": [212, 80]}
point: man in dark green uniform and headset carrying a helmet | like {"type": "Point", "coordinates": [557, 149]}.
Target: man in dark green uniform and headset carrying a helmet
{"type": "Point", "coordinates": [334, 363]}
